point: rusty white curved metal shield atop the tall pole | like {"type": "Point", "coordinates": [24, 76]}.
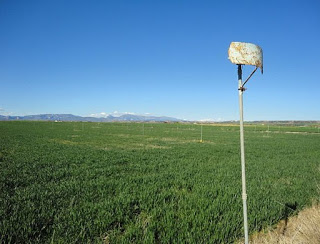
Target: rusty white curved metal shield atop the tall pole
{"type": "Point", "coordinates": [246, 53]}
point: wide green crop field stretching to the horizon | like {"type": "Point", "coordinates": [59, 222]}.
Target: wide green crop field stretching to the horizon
{"type": "Point", "coordinates": [82, 182]}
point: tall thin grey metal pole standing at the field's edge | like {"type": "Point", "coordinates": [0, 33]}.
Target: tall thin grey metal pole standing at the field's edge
{"type": "Point", "coordinates": [243, 166]}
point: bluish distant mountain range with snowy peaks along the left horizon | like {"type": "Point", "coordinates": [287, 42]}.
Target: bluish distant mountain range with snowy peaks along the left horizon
{"type": "Point", "coordinates": [109, 118]}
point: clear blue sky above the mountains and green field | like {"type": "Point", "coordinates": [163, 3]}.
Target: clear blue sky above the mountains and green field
{"type": "Point", "coordinates": [161, 57]}
